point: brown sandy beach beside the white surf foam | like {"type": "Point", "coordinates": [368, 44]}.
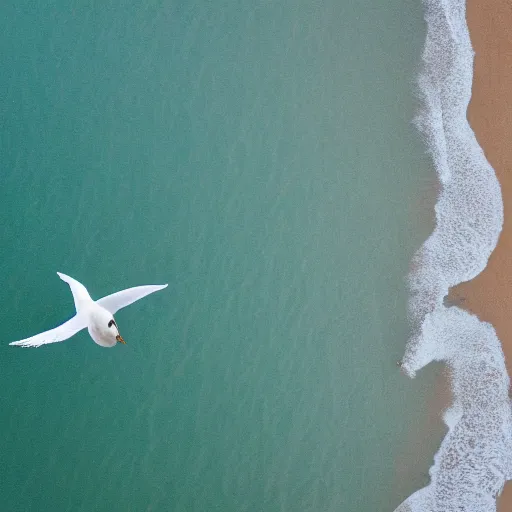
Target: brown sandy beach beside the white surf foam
{"type": "Point", "coordinates": [489, 295]}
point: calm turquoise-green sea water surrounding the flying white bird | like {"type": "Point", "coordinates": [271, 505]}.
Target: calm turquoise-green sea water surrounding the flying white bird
{"type": "Point", "coordinates": [259, 158]}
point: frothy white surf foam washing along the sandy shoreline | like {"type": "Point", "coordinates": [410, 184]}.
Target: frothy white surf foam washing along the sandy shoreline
{"type": "Point", "coordinates": [474, 459]}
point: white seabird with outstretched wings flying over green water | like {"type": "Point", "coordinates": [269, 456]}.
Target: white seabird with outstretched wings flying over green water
{"type": "Point", "coordinates": [97, 316]}
